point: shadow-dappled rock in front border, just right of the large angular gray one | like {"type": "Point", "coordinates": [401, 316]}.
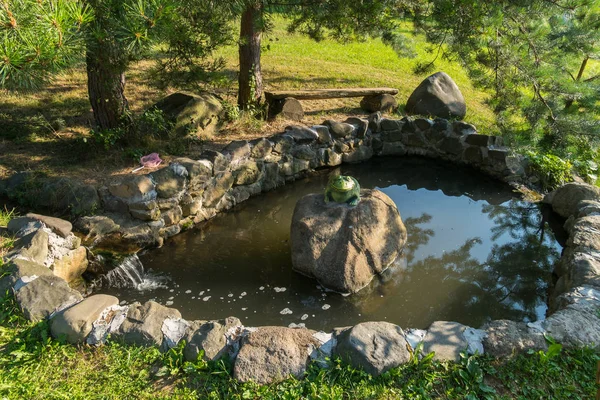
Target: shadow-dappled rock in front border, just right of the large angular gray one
{"type": "Point", "coordinates": [446, 339]}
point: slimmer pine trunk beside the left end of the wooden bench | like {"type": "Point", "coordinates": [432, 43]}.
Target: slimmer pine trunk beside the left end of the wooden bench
{"type": "Point", "coordinates": [250, 77]}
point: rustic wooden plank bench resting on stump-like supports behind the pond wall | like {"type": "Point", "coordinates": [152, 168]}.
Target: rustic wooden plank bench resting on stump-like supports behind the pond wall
{"type": "Point", "coordinates": [285, 102]}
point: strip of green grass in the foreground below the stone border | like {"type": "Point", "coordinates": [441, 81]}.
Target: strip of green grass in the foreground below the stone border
{"type": "Point", "coordinates": [34, 366]}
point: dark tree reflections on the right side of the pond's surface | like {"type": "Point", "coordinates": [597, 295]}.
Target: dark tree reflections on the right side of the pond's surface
{"type": "Point", "coordinates": [510, 283]}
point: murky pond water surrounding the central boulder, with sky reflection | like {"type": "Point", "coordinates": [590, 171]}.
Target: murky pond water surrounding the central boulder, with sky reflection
{"type": "Point", "coordinates": [475, 252]}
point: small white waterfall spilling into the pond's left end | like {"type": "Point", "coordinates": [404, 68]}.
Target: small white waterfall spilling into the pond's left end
{"type": "Point", "coordinates": [130, 273]}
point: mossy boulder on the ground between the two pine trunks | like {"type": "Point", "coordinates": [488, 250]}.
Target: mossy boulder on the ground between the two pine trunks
{"type": "Point", "coordinates": [192, 114]}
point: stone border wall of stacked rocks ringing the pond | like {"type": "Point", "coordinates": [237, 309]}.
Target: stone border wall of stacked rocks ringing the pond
{"type": "Point", "coordinates": [142, 210]}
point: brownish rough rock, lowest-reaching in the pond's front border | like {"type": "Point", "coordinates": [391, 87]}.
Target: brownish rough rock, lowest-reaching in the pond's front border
{"type": "Point", "coordinates": [272, 354]}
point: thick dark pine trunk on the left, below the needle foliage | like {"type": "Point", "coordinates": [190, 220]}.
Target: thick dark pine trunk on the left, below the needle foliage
{"type": "Point", "coordinates": [106, 88]}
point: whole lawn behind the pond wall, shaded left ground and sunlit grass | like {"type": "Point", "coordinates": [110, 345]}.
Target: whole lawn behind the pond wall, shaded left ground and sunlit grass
{"type": "Point", "coordinates": [49, 130]}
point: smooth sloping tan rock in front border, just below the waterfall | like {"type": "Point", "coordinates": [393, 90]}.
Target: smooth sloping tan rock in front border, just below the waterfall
{"type": "Point", "coordinates": [75, 323]}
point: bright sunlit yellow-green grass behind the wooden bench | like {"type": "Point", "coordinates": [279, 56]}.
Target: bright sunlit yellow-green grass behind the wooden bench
{"type": "Point", "coordinates": [297, 62]}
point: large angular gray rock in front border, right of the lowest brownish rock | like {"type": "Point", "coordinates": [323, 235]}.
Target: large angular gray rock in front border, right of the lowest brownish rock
{"type": "Point", "coordinates": [375, 347]}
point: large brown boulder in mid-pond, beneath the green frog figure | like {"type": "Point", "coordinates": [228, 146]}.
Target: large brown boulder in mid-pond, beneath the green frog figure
{"type": "Point", "coordinates": [344, 246]}
